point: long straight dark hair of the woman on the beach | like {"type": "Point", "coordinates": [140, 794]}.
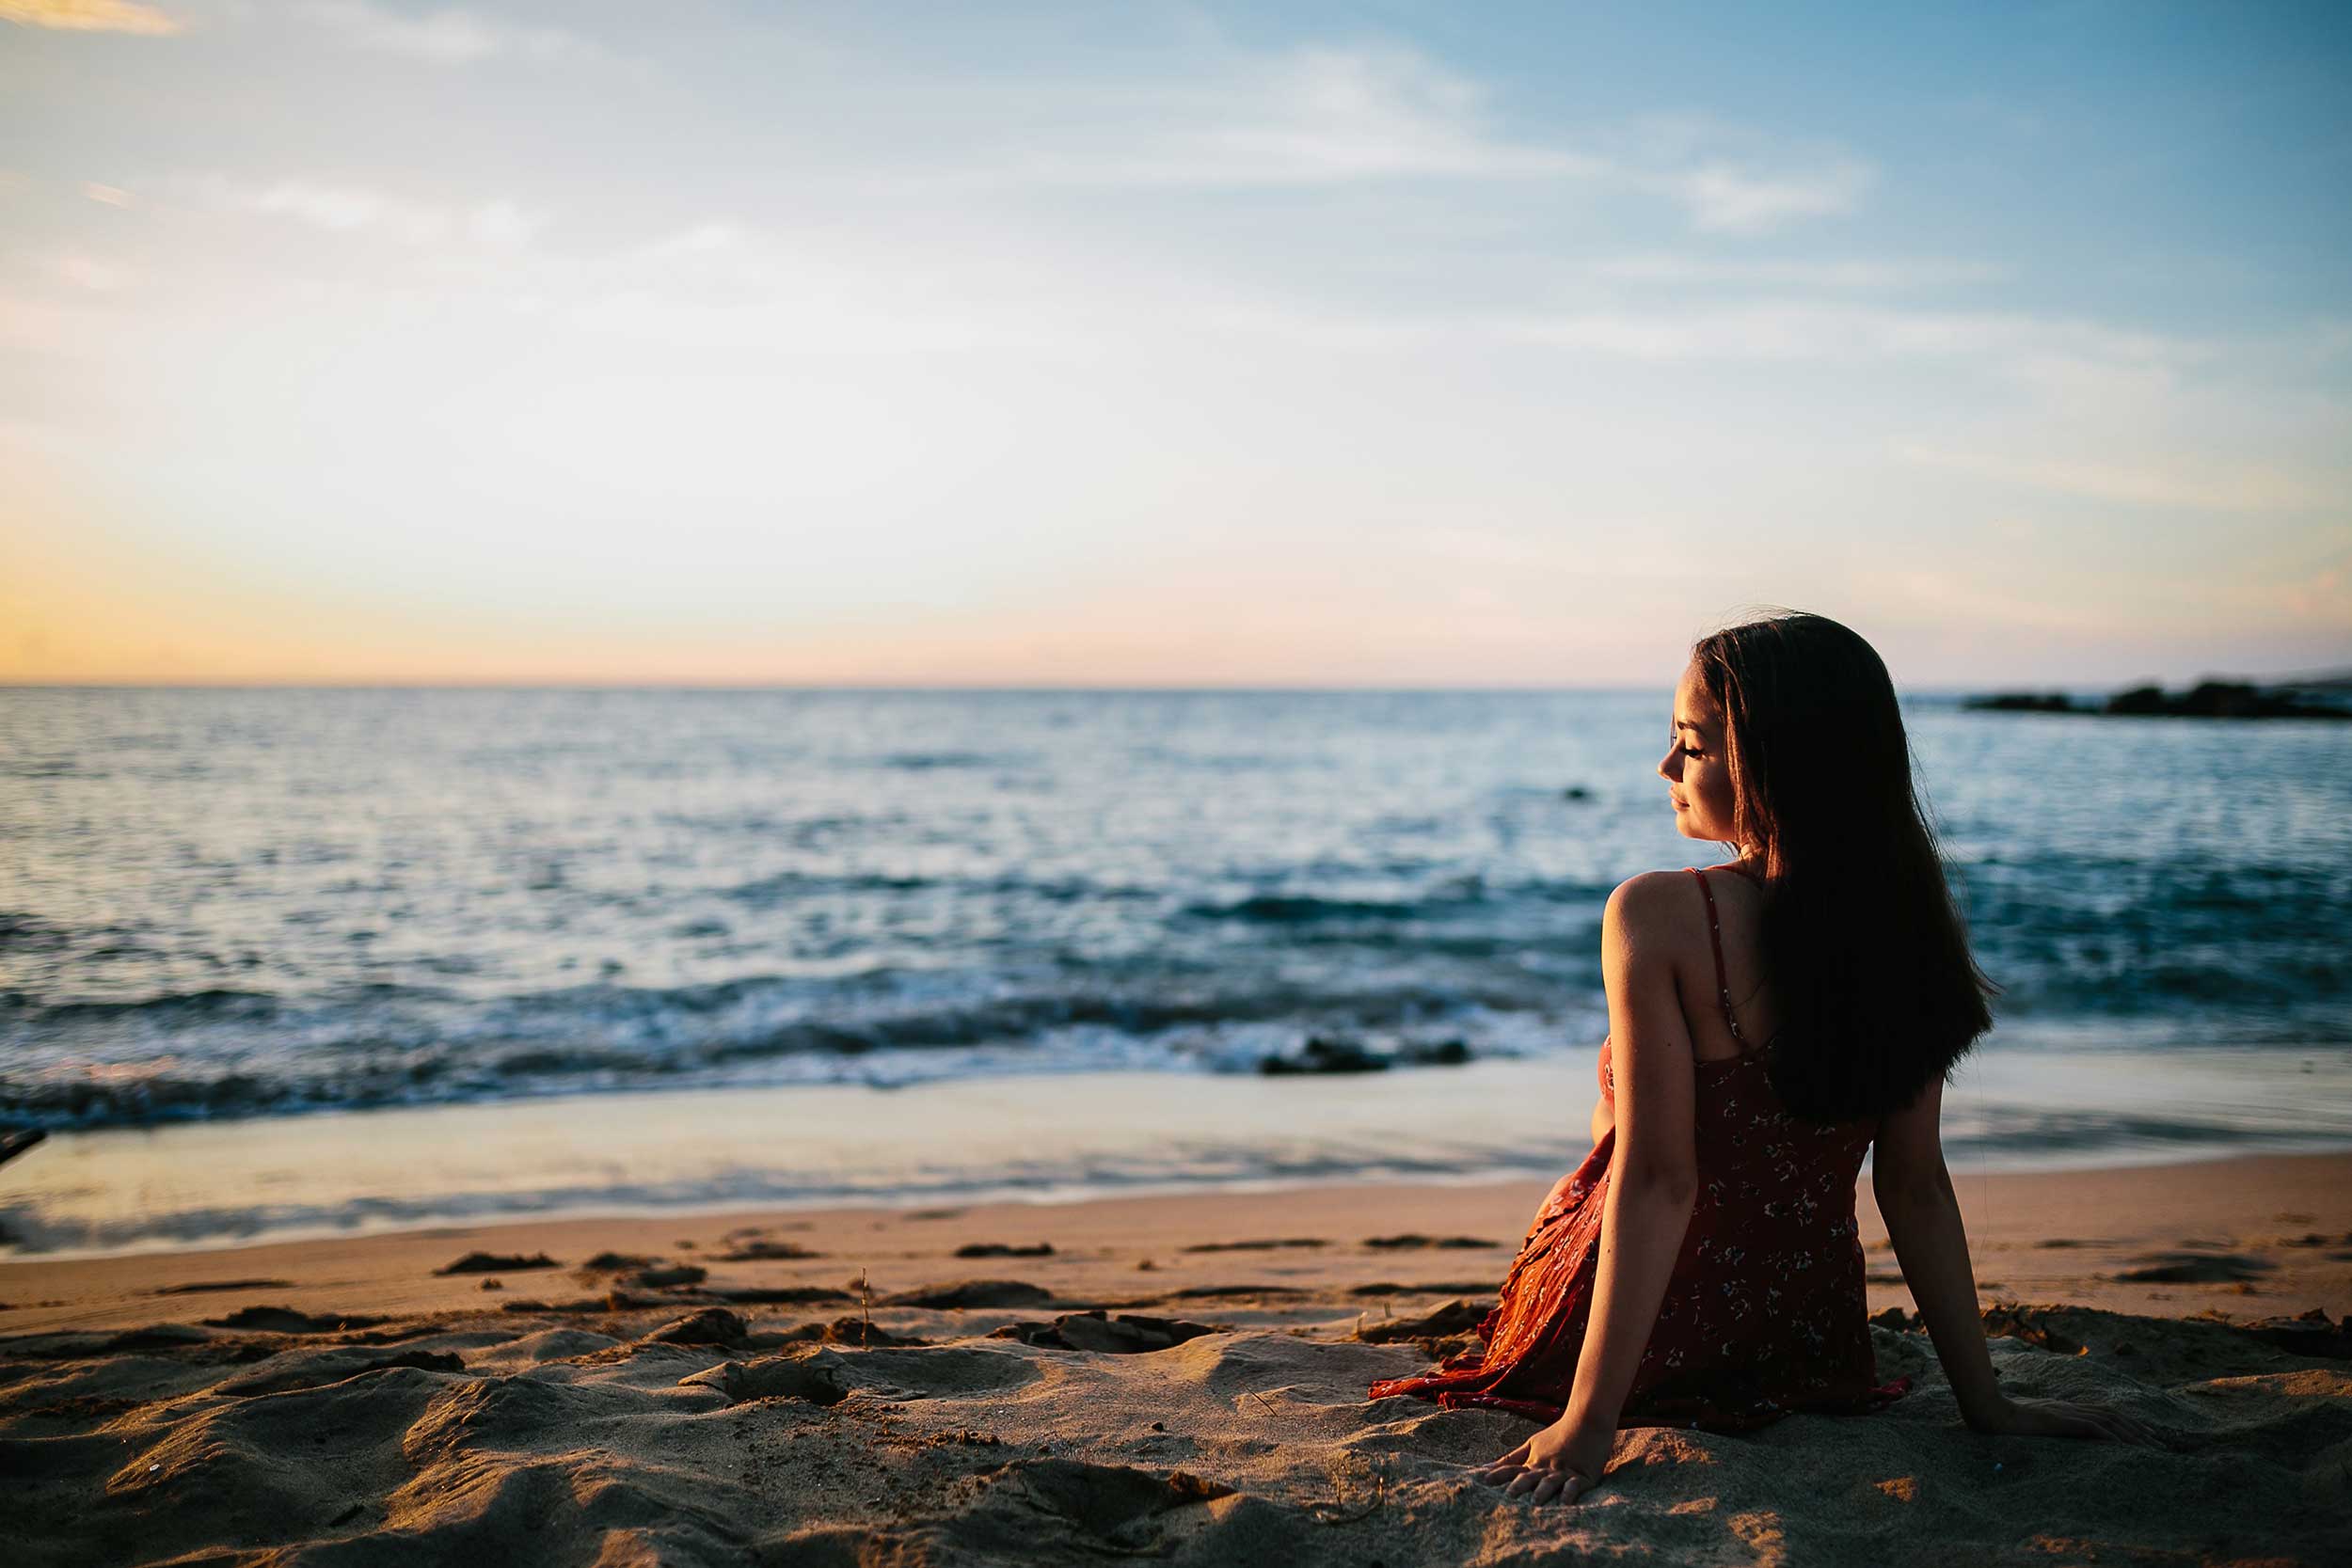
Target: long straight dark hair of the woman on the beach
{"type": "Point", "coordinates": [1862, 937]}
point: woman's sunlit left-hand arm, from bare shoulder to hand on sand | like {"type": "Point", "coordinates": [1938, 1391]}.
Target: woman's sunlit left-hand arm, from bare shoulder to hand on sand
{"type": "Point", "coordinates": [1652, 1186]}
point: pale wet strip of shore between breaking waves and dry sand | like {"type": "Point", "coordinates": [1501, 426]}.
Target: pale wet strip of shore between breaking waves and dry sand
{"type": "Point", "coordinates": [1060, 1137]}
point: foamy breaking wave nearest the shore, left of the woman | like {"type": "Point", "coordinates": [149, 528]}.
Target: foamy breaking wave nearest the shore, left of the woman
{"type": "Point", "coordinates": [239, 1057]}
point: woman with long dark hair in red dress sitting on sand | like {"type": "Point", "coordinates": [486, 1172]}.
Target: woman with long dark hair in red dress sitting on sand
{"type": "Point", "coordinates": [1704, 1264]}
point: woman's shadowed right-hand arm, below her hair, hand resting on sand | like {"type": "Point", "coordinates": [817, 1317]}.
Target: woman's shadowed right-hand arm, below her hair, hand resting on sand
{"type": "Point", "coordinates": [1932, 1245]}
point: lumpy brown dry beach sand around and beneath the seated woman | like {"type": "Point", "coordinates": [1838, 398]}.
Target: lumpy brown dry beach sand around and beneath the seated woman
{"type": "Point", "coordinates": [907, 1388]}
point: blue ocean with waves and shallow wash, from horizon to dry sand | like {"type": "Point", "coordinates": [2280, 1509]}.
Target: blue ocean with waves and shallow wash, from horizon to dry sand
{"type": "Point", "coordinates": [707, 949]}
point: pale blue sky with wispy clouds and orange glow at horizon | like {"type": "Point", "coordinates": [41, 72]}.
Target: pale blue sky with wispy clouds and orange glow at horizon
{"type": "Point", "coordinates": [1170, 344]}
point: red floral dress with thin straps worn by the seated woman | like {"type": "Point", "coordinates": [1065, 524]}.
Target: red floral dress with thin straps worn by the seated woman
{"type": "Point", "coordinates": [1765, 1311]}
